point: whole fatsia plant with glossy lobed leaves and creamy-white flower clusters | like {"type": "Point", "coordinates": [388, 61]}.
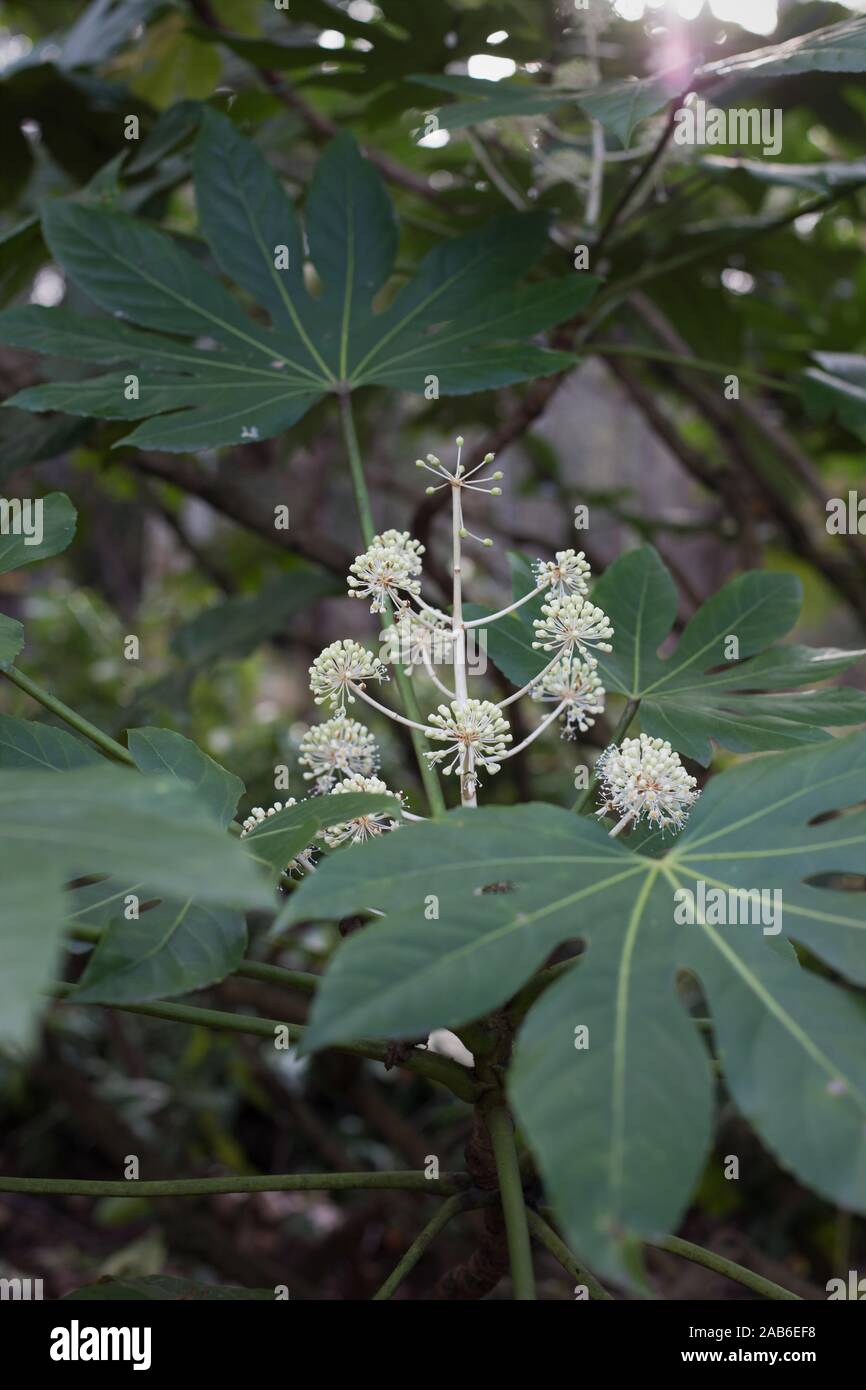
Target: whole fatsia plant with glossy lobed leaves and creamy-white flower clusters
{"type": "Point", "coordinates": [582, 976]}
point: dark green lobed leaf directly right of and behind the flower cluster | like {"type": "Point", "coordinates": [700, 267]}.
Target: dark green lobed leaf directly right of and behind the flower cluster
{"type": "Point", "coordinates": [746, 696]}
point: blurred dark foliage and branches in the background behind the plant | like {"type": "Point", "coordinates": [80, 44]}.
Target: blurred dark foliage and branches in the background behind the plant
{"type": "Point", "coordinates": [768, 270]}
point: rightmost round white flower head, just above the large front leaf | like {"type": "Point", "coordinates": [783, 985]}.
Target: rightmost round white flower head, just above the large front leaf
{"type": "Point", "coordinates": [646, 779]}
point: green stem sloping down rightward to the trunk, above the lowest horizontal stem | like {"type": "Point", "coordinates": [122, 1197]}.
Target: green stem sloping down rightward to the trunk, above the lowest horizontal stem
{"type": "Point", "coordinates": [426, 1064]}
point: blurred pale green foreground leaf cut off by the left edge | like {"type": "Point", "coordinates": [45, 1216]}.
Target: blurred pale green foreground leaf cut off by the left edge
{"type": "Point", "coordinates": [56, 826]}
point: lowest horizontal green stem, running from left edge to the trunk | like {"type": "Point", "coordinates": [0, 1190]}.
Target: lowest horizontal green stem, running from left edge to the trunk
{"type": "Point", "coordinates": [443, 1186]}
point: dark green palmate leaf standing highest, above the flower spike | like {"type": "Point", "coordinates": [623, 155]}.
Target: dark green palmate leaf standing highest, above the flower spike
{"type": "Point", "coordinates": [201, 372]}
